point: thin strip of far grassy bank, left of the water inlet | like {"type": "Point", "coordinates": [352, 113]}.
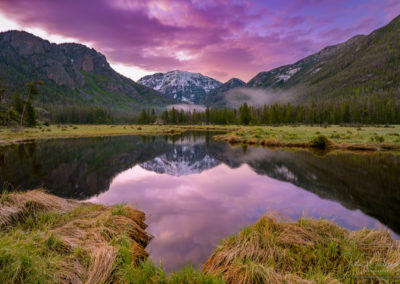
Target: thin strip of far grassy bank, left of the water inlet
{"type": "Point", "coordinates": [9, 136]}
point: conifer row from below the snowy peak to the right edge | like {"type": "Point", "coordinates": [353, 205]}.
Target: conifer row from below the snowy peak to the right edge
{"type": "Point", "coordinates": [363, 110]}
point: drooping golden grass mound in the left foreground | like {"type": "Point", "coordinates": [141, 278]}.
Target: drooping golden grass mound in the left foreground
{"type": "Point", "coordinates": [81, 239]}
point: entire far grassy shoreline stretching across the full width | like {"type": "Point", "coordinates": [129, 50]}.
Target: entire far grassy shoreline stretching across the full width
{"type": "Point", "coordinates": [365, 138]}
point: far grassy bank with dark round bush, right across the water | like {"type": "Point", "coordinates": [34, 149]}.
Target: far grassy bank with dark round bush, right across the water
{"type": "Point", "coordinates": [334, 137]}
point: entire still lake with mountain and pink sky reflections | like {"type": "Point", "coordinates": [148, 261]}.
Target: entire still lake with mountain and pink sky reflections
{"type": "Point", "coordinates": [196, 191]}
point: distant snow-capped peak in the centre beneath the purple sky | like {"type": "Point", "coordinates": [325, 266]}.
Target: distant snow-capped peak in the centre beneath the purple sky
{"type": "Point", "coordinates": [181, 85]}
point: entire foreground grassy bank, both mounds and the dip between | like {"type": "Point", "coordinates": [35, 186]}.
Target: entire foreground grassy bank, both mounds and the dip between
{"type": "Point", "coordinates": [47, 239]}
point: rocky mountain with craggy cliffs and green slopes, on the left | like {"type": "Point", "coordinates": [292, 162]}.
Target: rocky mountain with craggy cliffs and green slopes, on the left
{"type": "Point", "coordinates": [73, 74]}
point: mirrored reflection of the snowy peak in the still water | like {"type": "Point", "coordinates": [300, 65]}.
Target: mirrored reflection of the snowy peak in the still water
{"type": "Point", "coordinates": [183, 160]}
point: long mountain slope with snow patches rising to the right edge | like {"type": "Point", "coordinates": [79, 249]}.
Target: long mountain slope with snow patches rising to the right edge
{"type": "Point", "coordinates": [363, 65]}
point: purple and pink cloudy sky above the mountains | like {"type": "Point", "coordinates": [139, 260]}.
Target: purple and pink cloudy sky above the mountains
{"type": "Point", "coordinates": [218, 38]}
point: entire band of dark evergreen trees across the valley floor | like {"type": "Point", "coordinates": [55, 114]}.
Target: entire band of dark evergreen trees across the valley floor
{"type": "Point", "coordinates": [358, 109]}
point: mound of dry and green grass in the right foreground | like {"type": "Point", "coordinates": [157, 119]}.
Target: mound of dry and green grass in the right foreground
{"type": "Point", "coordinates": [307, 251]}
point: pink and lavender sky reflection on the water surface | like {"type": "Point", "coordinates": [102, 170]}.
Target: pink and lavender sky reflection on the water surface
{"type": "Point", "coordinates": [188, 215]}
